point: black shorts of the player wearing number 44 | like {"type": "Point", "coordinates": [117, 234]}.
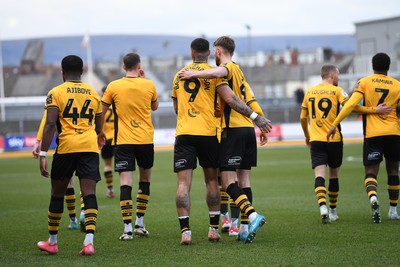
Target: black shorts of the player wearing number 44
{"type": "Point", "coordinates": [84, 164]}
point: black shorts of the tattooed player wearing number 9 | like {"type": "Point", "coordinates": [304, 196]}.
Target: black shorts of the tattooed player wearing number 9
{"type": "Point", "coordinates": [189, 148]}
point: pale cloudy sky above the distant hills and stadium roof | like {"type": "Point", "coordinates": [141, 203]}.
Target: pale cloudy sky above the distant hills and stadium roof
{"type": "Point", "coordinates": [47, 18]}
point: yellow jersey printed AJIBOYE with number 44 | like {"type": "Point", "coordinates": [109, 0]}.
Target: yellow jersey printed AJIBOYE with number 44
{"type": "Point", "coordinates": [78, 104]}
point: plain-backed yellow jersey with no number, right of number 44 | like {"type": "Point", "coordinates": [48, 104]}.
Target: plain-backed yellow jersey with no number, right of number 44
{"type": "Point", "coordinates": [131, 98]}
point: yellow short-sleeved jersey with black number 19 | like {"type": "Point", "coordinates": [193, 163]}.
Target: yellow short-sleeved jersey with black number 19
{"type": "Point", "coordinates": [322, 104]}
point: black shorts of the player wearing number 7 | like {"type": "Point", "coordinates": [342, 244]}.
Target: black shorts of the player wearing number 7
{"type": "Point", "coordinates": [375, 148]}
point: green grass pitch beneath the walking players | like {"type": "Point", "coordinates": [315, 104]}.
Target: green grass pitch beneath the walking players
{"type": "Point", "coordinates": [283, 192]}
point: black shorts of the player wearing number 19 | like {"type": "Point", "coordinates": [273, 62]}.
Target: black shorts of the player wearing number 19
{"type": "Point", "coordinates": [324, 153]}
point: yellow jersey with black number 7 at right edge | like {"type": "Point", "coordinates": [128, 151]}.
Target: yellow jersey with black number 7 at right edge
{"type": "Point", "coordinates": [377, 89]}
